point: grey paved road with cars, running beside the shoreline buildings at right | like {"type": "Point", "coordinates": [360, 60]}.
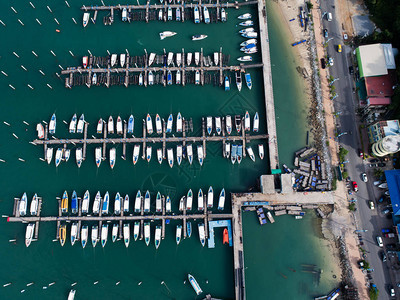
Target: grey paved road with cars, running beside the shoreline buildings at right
{"type": "Point", "coordinates": [346, 104]}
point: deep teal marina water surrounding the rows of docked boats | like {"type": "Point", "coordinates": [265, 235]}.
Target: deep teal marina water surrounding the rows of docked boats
{"type": "Point", "coordinates": [45, 261]}
